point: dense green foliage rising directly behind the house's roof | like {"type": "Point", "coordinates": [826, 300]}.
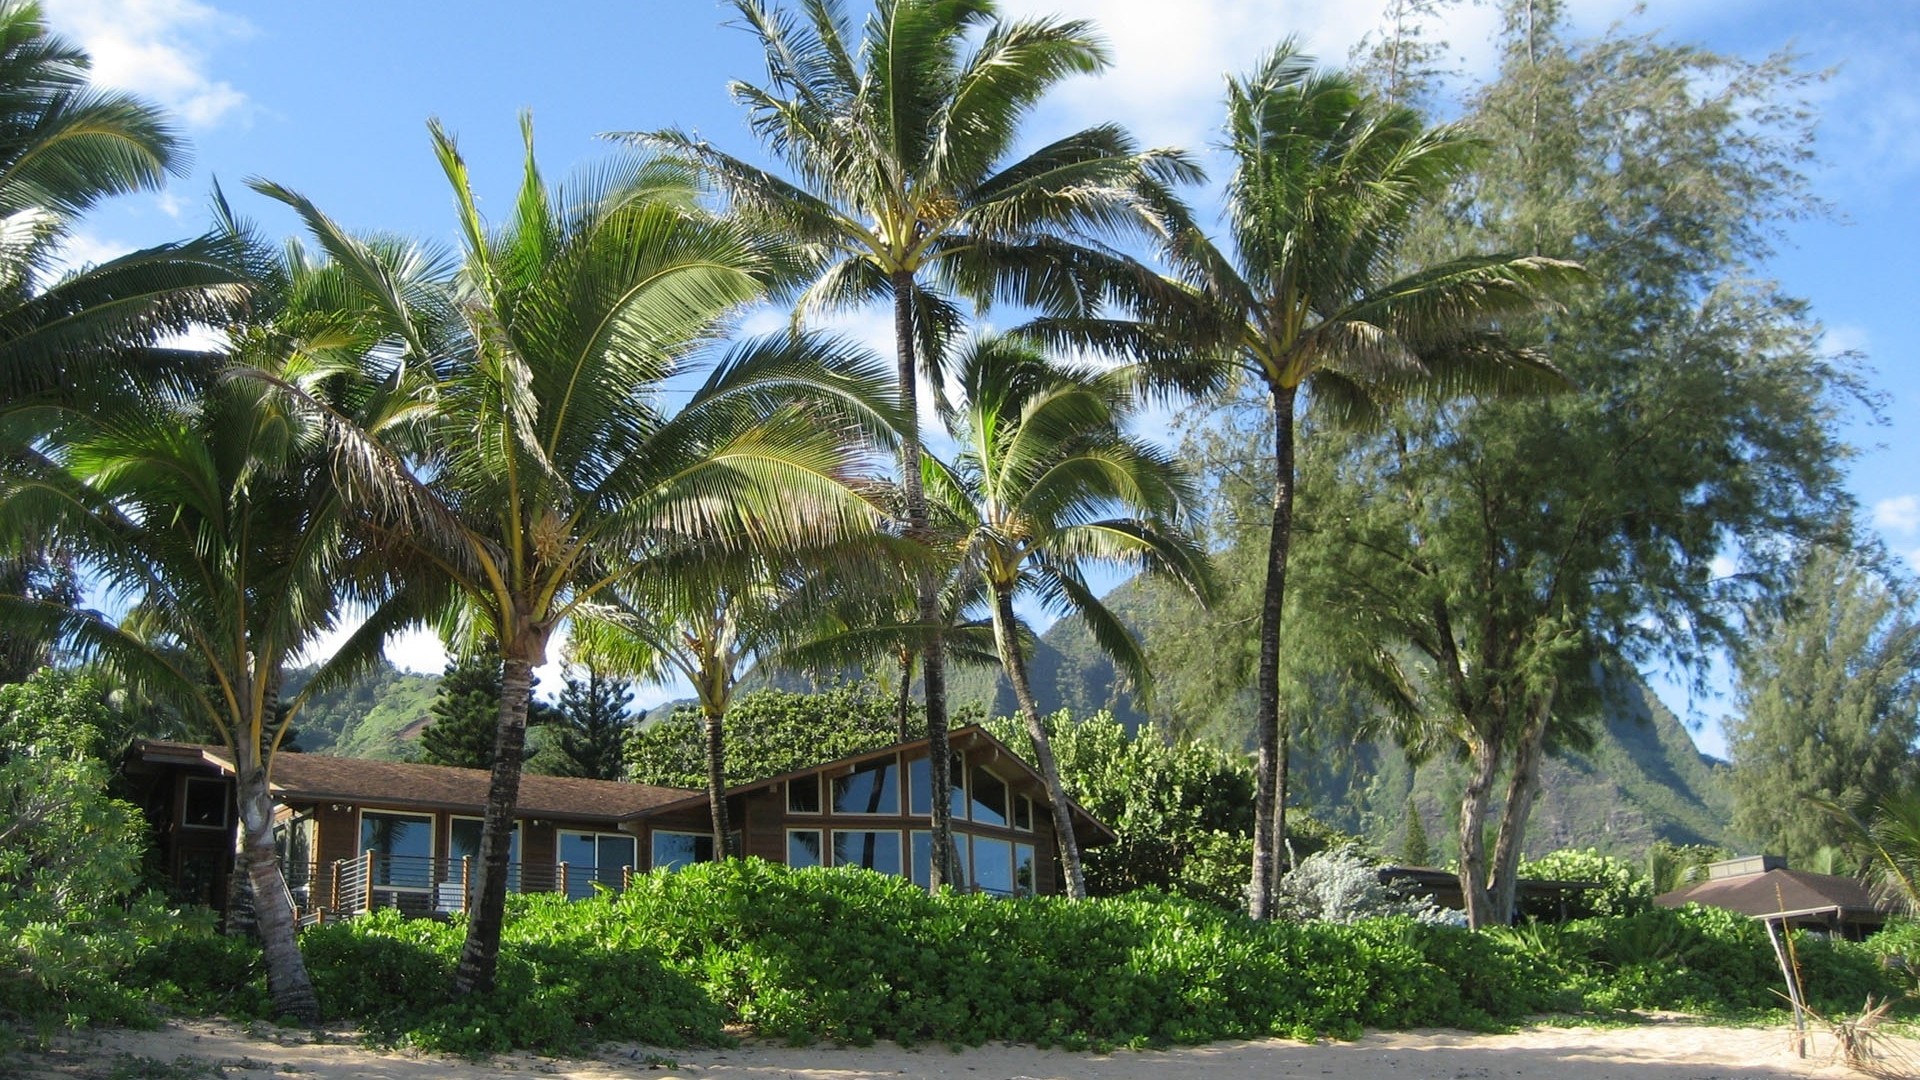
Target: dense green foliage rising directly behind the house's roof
{"type": "Point", "coordinates": [767, 733]}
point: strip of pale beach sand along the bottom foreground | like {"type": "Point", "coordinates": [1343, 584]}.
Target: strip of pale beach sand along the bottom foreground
{"type": "Point", "coordinates": [1662, 1050]}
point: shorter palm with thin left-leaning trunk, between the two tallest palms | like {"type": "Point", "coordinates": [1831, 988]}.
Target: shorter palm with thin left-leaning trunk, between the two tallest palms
{"type": "Point", "coordinates": [1051, 483]}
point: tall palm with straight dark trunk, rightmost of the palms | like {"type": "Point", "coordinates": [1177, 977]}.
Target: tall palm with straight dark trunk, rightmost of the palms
{"type": "Point", "coordinates": [1314, 293]}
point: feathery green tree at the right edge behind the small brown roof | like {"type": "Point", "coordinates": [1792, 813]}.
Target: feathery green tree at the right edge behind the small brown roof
{"type": "Point", "coordinates": [1829, 687]}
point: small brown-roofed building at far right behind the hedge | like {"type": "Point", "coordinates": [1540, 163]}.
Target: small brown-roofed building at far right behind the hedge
{"type": "Point", "coordinates": [1762, 887]}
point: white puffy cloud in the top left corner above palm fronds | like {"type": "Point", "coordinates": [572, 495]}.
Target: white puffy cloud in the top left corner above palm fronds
{"type": "Point", "coordinates": [158, 49]}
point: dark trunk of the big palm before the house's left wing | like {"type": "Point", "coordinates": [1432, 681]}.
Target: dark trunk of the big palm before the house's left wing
{"type": "Point", "coordinates": [481, 954]}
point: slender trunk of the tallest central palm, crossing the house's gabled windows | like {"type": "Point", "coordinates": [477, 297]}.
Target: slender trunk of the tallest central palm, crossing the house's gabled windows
{"type": "Point", "coordinates": [928, 587]}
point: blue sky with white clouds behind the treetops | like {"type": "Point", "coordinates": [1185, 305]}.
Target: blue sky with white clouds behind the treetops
{"type": "Point", "coordinates": [333, 99]}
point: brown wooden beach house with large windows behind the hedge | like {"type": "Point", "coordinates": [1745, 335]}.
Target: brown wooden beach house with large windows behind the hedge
{"type": "Point", "coordinates": [358, 835]}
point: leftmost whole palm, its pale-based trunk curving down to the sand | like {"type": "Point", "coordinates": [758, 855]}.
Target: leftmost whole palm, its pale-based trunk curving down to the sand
{"type": "Point", "coordinates": [218, 520]}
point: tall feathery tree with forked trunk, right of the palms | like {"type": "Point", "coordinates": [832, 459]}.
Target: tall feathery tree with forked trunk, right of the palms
{"type": "Point", "coordinates": [1522, 547]}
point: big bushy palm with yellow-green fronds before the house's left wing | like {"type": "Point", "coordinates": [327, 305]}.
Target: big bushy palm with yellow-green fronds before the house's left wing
{"type": "Point", "coordinates": [548, 474]}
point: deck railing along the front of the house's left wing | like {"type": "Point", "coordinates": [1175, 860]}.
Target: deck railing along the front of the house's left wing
{"type": "Point", "coordinates": [431, 887]}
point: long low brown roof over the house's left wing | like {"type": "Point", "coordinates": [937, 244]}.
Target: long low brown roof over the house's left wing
{"type": "Point", "coordinates": [320, 779]}
